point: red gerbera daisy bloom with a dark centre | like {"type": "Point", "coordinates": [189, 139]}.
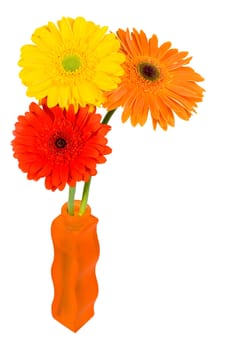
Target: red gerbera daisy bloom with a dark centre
{"type": "Point", "coordinates": [62, 146]}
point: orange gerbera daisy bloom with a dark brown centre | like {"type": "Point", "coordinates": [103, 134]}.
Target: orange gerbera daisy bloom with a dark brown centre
{"type": "Point", "coordinates": [156, 79]}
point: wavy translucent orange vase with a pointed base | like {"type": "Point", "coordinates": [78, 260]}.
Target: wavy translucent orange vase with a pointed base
{"type": "Point", "coordinates": [76, 251]}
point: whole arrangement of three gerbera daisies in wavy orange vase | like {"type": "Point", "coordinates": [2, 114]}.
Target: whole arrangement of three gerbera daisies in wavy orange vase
{"type": "Point", "coordinates": [72, 68]}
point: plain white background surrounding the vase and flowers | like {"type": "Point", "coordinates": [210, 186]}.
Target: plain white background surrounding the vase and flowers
{"type": "Point", "coordinates": [164, 199]}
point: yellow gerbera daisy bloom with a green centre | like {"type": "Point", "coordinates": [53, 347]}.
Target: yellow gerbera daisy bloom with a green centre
{"type": "Point", "coordinates": [72, 62]}
